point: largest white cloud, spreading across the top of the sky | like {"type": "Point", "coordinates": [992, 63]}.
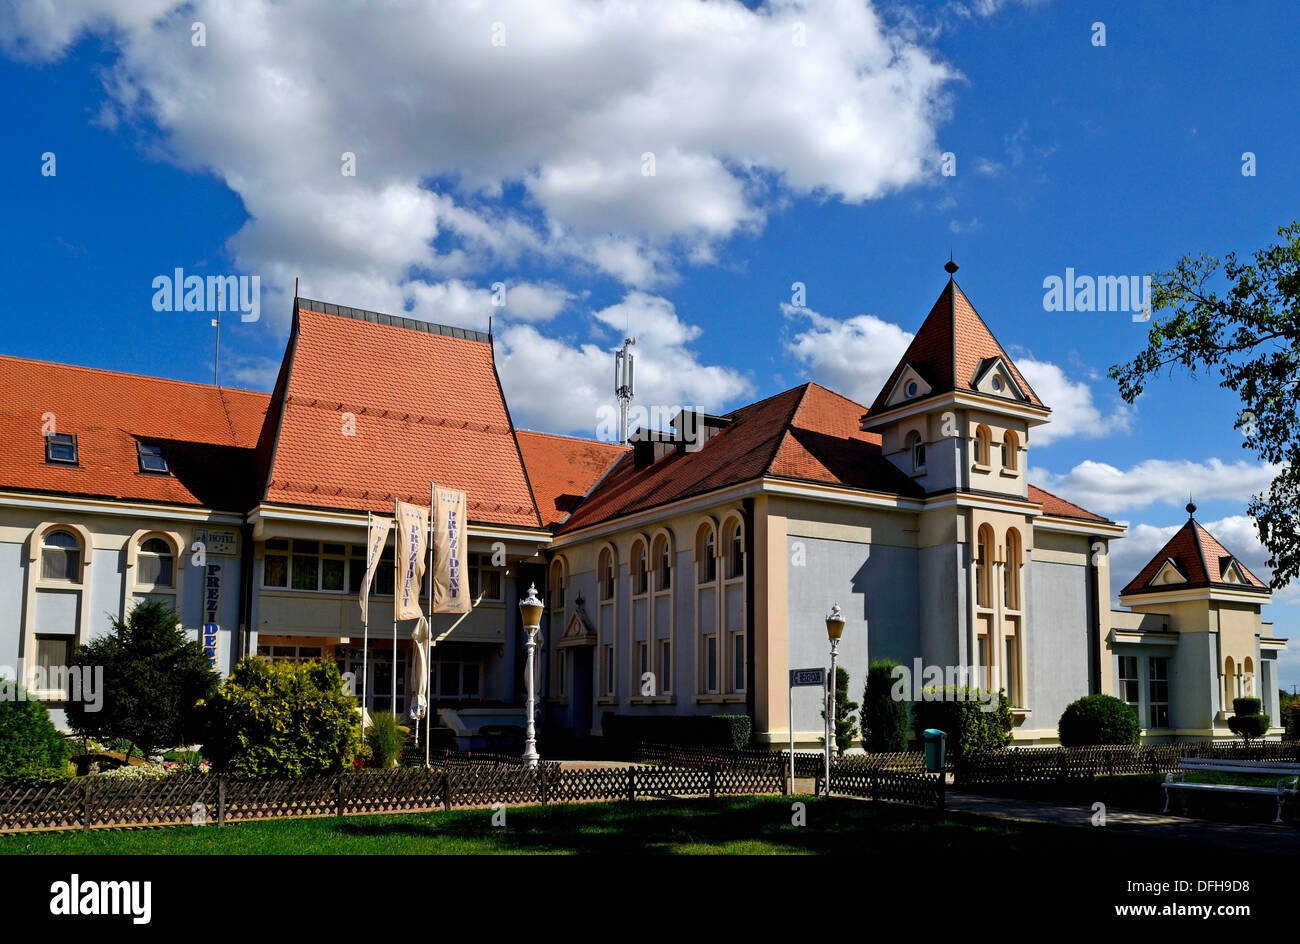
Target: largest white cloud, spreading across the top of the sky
{"type": "Point", "coordinates": [471, 153]}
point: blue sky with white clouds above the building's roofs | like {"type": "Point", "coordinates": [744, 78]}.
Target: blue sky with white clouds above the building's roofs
{"type": "Point", "coordinates": [777, 163]}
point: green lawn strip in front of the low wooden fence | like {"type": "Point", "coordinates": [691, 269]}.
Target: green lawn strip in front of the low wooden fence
{"type": "Point", "coordinates": [727, 826]}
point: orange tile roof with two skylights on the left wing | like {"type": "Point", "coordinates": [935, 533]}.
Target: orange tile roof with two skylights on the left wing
{"type": "Point", "coordinates": [207, 435]}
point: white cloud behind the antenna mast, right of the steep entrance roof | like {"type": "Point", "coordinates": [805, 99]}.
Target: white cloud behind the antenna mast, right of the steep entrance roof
{"type": "Point", "coordinates": [561, 384]}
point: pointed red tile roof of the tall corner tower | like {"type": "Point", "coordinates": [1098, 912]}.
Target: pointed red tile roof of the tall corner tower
{"type": "Point", "coordinates": [950, 350]}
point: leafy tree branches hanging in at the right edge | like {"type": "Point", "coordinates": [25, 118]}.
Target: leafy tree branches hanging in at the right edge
{"type": "Point", "coordinates": [1250, 336]}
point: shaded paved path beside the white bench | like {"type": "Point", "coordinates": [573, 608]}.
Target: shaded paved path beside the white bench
{"type": "Point", "coordinates": [1263, 837]}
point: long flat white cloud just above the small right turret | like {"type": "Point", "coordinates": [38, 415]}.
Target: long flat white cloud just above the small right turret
{"type": "Point", "coordinates": [1156, 482]}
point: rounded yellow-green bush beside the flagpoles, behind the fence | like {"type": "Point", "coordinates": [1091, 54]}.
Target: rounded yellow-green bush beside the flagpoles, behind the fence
{"type": "Point", "coordinates": [284, 720]}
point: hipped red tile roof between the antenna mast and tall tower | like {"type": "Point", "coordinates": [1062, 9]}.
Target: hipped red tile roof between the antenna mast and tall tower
{"type": "Point", "coordinates": [807, 434]}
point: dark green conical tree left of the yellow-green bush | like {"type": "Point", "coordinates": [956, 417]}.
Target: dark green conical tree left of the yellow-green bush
{"type": "Point", "coordinates": [154, 681]}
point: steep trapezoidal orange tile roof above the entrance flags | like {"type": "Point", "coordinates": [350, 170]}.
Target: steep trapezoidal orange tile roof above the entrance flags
{"type": "Point", "coordinates": [427, 405]}
